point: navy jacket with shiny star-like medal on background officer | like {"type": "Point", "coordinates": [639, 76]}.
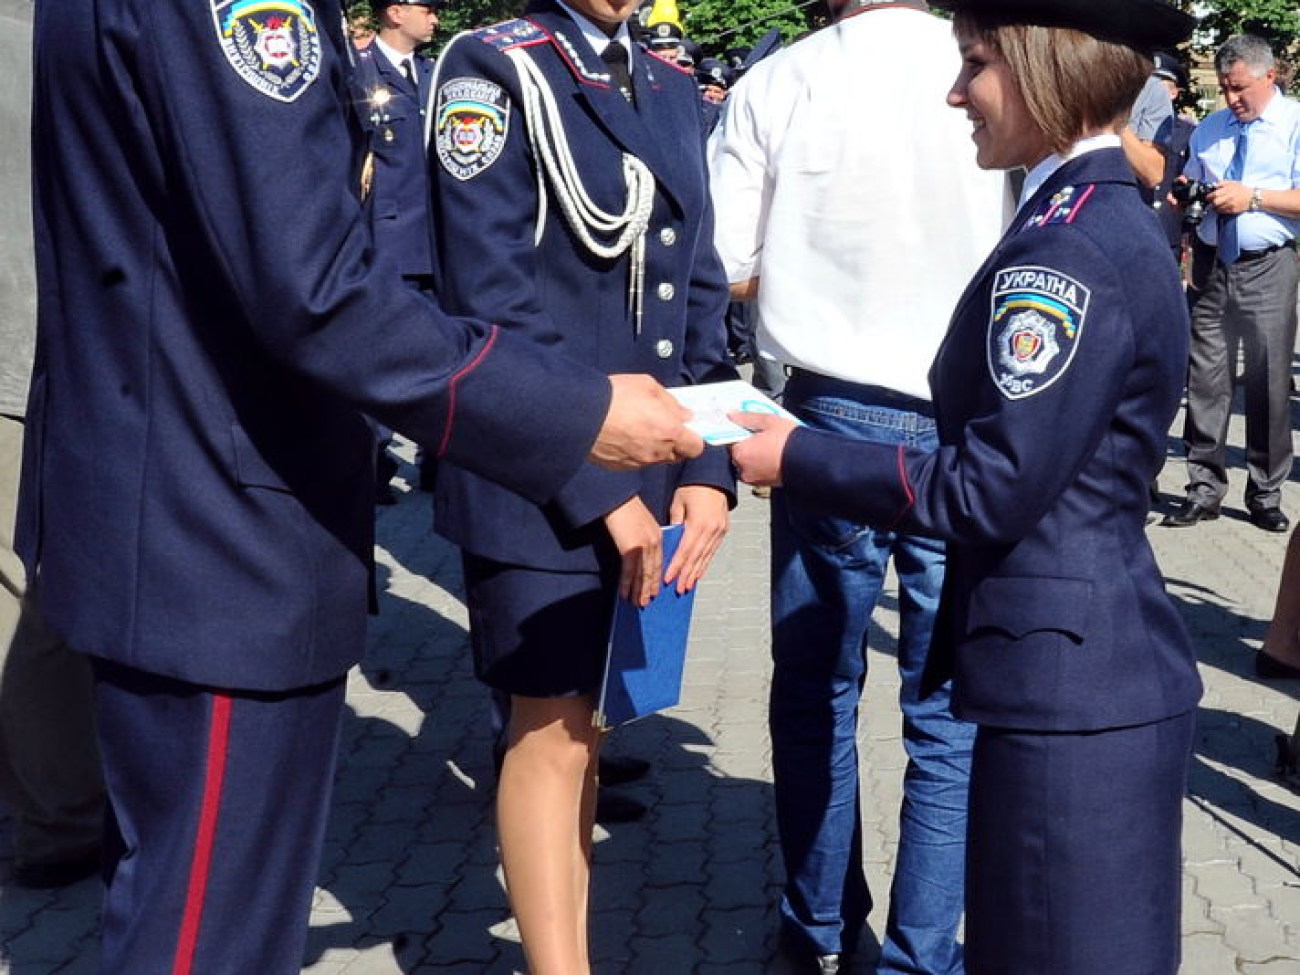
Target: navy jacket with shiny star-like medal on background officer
{"type": "Point", "coordinates": [392, 112]}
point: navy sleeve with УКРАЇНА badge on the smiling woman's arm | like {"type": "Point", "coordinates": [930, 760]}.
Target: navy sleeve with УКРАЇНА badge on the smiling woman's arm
{"type": "Point", "coordinates": [1033, 431]}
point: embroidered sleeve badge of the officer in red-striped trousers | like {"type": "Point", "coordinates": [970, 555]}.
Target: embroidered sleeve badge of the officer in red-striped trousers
{"type": "Point", "coordinates": [272, 45]}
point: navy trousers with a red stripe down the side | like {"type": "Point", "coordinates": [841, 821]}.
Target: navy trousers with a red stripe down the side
{"type": "Point", "coordinates": [219, 803]}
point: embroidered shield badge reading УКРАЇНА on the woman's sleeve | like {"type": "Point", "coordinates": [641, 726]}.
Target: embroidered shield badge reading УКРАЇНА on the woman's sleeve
{"type": "Point", "coordinates": [1034, 331]}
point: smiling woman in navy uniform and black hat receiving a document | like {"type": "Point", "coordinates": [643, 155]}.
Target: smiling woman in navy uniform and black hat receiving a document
{"type": "Point", "coordinates": [1054, 393]}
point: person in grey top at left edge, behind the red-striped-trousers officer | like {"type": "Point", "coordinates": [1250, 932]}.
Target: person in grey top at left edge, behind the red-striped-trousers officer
{"type": "Point", "coordinates": [50, 778]}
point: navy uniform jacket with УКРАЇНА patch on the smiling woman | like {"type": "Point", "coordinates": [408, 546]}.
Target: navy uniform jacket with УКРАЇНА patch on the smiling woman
{"type": "Point", "coordinates": [1054, 393]}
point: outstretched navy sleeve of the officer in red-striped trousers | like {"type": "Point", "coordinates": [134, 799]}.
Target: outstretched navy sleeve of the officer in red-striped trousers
{"type": "Point", "coordinates": [266, 161]}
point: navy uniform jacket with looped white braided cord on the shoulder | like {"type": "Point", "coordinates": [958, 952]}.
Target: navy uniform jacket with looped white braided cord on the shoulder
{"type": "Point", "coordinates": [554, 292]}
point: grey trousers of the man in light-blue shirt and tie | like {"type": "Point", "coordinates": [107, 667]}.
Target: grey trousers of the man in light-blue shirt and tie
{"type": "Point", "coordinates": [1251, 304]}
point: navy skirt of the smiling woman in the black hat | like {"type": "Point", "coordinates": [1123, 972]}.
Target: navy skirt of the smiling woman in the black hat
{"type": "Point", "coordinates": [1074, 853]}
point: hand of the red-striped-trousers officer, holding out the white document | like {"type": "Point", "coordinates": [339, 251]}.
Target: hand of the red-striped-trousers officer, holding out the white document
{"type": "Point", "coordinates": [645, 426]}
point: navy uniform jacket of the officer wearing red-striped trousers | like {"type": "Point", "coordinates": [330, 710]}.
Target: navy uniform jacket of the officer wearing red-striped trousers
{"type": "Point", "coordinates": [213, 324]}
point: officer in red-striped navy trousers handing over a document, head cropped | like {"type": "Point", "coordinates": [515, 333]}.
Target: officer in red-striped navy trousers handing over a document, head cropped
{"type": "Point", "coordinates": [198, 475]}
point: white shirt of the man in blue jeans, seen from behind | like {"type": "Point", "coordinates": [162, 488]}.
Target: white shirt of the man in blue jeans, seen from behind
{"type": "Point", "coordinates": [844, 181]}
